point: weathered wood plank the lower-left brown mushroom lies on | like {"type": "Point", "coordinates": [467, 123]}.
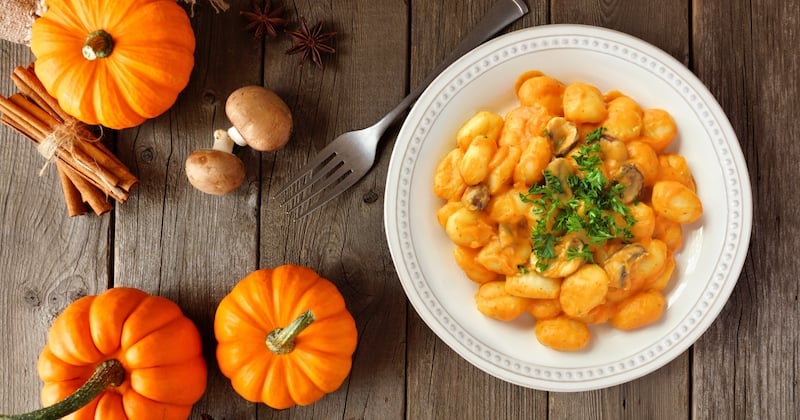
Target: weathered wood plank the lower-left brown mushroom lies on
{"type": "Point", "coordinates": [173, 240]}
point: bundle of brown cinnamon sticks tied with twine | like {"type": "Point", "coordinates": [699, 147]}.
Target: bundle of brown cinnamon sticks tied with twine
{"type": "Point", "coordinates": [89, 172]}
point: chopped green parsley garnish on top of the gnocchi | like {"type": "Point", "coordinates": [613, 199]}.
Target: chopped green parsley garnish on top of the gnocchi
{"type": "Point", "coordinates": [588, 205]}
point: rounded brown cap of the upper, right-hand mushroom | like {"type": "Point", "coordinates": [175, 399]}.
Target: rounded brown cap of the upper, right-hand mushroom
{"type": "Point", "coordinates": [261, 117]}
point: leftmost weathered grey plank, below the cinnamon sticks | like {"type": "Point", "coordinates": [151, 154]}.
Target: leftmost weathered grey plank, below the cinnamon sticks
{"type": "Point", "coordinates": [47, 260]}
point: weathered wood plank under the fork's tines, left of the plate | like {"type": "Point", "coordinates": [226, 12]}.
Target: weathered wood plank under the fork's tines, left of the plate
{"type": "Point", "coordinates": [345, 240]}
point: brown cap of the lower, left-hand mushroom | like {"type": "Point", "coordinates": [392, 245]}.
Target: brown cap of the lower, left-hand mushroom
{"type": "Point", "coordinates": [214, 172]}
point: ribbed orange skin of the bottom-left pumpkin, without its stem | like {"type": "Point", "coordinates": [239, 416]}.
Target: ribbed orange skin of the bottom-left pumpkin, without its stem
{"type": "Point", "coordinates": [158, 346]}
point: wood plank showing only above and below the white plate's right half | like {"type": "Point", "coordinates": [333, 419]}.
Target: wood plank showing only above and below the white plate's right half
{"type": "Point", "coordinates": [664, 393]}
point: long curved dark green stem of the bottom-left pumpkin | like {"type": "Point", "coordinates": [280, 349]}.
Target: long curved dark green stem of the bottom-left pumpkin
{"type": "Point", "coordinates": [109, 373]}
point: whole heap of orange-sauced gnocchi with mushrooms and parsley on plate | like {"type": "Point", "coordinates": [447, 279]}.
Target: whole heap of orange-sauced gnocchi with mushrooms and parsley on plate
{"type": "Point", "coordinates": [568, 209]}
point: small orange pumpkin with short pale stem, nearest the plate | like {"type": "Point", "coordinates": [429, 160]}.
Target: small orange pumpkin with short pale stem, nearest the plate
{"type": "Point", "coordinates": [285, 337]}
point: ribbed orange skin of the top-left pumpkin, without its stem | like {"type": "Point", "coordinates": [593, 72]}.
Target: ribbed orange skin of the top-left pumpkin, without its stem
{"type": "Point", "coordinates": [149, 66]}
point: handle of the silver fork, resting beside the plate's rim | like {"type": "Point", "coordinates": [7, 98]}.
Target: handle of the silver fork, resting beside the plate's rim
{"type": "Point", "coordinates": [502, 13]}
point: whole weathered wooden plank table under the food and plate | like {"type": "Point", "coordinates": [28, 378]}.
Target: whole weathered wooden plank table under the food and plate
{"type": "Point", "coordinates": [171, 240]}
